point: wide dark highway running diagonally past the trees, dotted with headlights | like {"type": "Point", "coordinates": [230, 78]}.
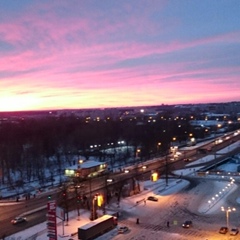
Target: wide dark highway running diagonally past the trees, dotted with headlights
{"type": "Point", "coordinates": [35, 208]}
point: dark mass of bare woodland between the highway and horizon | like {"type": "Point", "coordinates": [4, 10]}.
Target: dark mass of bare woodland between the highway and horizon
{"type": "Point", "coordinates": [30, 146]}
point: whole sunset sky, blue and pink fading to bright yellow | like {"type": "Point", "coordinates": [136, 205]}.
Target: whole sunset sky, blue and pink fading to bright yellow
{"type": "Point", "coordinates": [77, 54]}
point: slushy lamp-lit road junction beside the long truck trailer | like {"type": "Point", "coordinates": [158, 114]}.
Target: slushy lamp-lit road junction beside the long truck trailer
{"type": "Point", "coordinates": [176, 208]}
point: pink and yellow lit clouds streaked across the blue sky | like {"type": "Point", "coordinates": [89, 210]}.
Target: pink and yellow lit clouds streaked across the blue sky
{"type": "Point", "coordinates": [52, 57]}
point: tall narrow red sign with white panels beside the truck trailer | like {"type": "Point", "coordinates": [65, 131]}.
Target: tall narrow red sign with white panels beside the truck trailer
{"type": "Point", "coordinates": [51, 220]}
